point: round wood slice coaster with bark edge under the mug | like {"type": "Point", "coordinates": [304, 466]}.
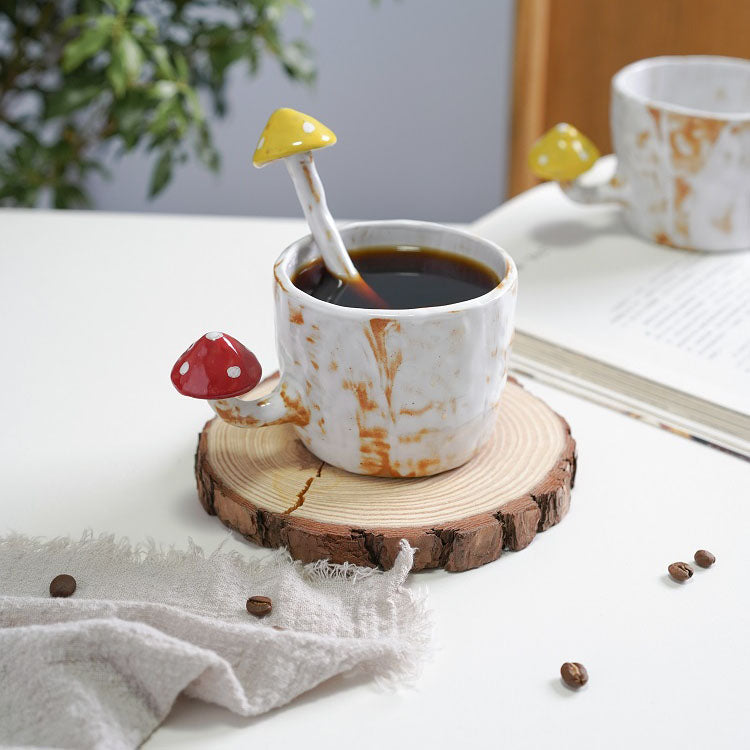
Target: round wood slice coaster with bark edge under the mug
{"type": "Point", "coordinates": [265, 484]}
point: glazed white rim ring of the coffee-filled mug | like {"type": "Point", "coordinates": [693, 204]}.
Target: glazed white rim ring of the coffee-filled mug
{"type": "Point", "coordinates": [506, 283]}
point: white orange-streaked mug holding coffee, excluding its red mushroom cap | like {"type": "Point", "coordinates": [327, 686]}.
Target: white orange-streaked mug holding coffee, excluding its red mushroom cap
{"type": "Point", "coordinates": [388, 392]}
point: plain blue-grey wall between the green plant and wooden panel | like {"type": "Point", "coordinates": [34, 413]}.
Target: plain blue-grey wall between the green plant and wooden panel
{"type": "Point", "coordinates": [417, 92]}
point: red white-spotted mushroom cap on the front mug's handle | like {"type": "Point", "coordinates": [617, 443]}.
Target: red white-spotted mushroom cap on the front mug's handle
{"type": "Point", "coordinates": [216, 366]}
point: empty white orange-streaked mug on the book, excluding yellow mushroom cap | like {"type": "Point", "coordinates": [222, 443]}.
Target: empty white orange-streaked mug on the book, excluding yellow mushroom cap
{"type": "Point", "coordinates": [681, 134]}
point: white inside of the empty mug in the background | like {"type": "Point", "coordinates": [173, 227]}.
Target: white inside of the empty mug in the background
{"type": "Point", "coordinates": [696, 85]}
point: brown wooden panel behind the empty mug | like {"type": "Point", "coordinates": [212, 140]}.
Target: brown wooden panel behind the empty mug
{"type": "Point", "coordinates": [568, 50]}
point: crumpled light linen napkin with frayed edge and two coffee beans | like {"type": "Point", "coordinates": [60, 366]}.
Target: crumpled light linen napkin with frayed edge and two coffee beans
{"type": "Point", "coordinates": [102, 668]}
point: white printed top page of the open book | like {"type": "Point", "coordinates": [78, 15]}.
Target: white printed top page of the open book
{"type": "Point", "coordinates": [587, 284]}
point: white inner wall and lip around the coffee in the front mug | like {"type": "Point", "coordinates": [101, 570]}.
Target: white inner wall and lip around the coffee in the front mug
{"type": "Point", "coordinates": [402, 233]}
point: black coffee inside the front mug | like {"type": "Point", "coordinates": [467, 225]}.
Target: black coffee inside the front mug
{"type": "Point", "coordinates": [403, 276]}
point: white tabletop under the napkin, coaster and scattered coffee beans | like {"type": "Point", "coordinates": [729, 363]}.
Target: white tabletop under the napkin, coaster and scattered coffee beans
{"type": "Point", "coordinates": [95, 308]}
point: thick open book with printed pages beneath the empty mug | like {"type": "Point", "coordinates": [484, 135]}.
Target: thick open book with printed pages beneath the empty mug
{"type": "Point", "coordinates": [661, 334]}
